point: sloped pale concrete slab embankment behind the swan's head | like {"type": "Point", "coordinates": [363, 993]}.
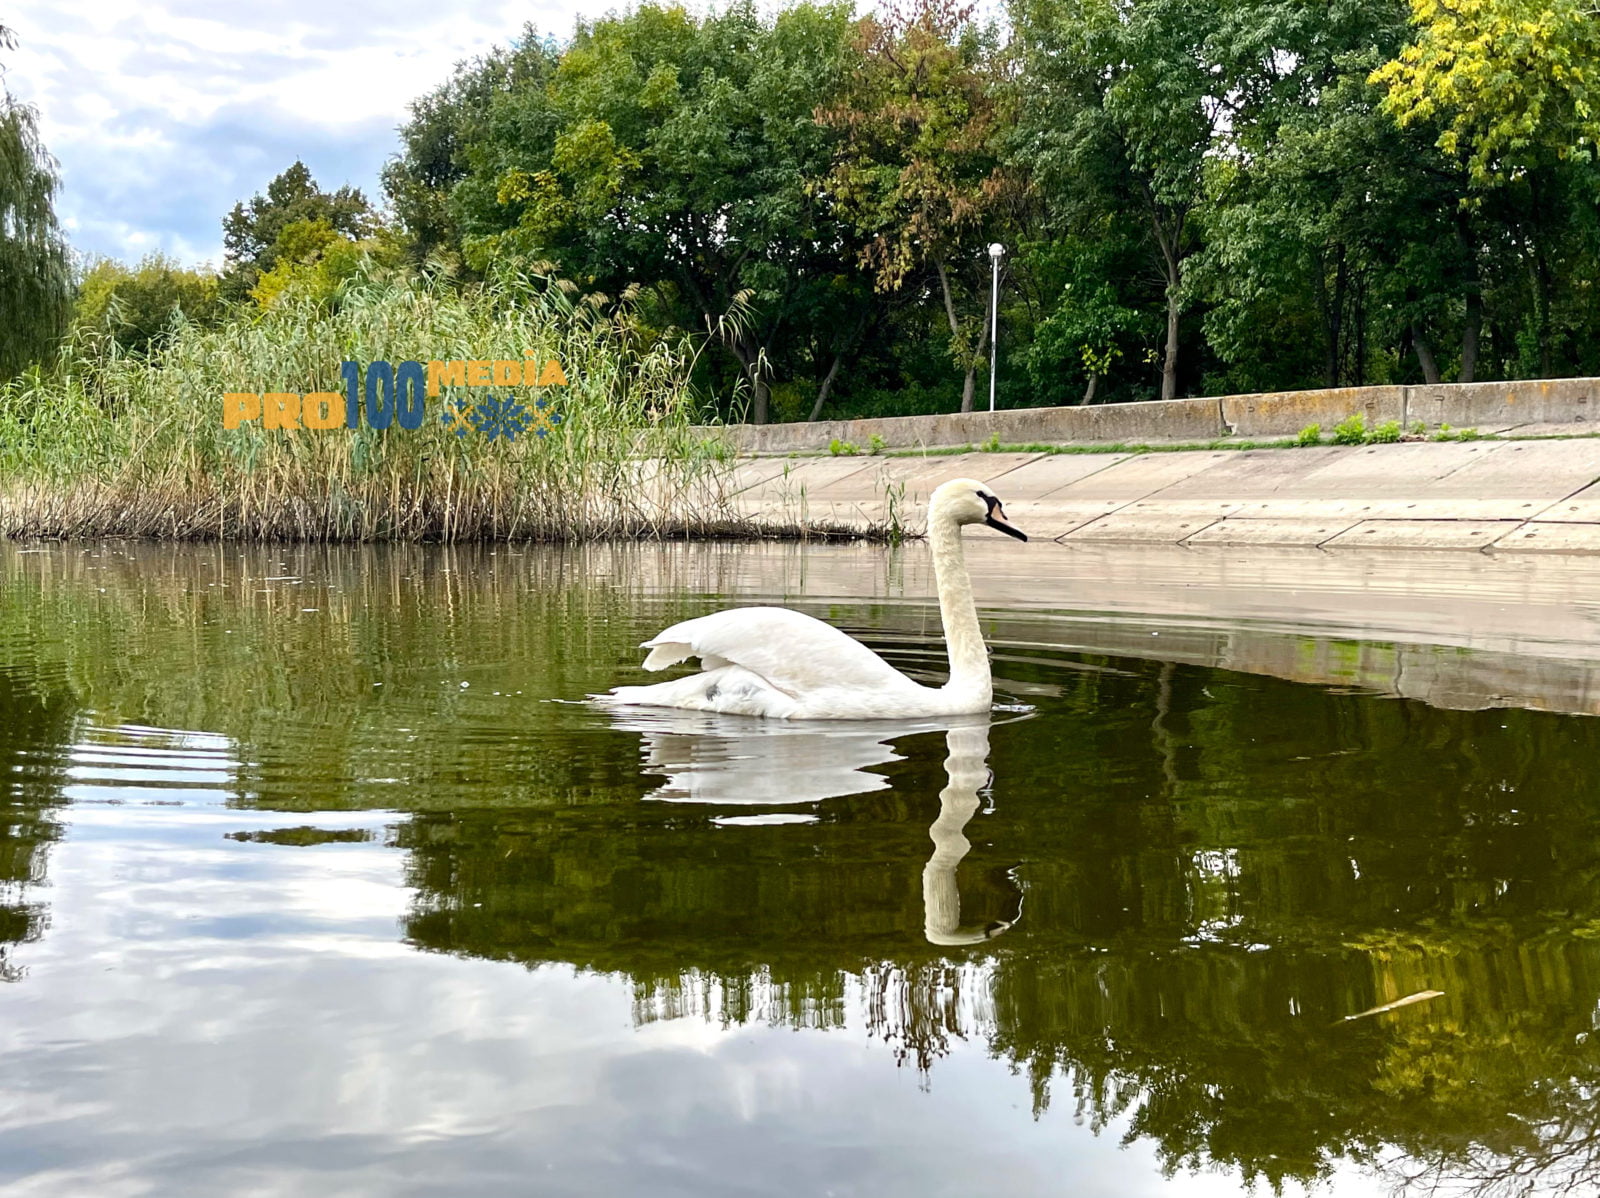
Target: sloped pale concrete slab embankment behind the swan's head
{"type": "Point", "coordinates": [1505, 497]}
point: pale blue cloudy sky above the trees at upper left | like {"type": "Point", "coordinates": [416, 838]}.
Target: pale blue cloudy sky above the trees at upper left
{"type": "Point", "coordinates": [164, 114]}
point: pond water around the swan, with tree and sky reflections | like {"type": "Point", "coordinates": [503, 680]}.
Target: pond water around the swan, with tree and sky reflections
{"type": "Point", "coordinates": [318, 877]}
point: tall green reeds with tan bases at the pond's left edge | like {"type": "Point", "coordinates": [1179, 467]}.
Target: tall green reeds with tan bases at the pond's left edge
{"type": "Point", "coordinates": [106, 444]}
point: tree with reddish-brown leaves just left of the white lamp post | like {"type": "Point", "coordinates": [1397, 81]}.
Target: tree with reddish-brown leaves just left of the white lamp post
{"type": "Point", "coordinates": [919, 170]}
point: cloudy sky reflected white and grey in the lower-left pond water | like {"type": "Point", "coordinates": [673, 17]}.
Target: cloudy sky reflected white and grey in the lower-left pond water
{"type": "Point", "coordinates": [220, 1016]}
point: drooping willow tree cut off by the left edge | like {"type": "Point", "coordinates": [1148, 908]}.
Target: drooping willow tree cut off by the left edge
{"type": "Point", "coordinates": [36, 294]}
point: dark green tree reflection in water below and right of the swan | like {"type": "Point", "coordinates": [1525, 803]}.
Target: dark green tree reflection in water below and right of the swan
{"type": "Point", "coordinates": [1218, 869]}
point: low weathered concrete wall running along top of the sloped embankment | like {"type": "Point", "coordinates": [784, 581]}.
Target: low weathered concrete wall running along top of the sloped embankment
{"type": "Point", "coordinates": [1476, 405]}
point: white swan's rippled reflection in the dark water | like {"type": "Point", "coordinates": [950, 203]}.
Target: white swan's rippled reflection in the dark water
{"type": "Point", "coordinates": [738, 762]}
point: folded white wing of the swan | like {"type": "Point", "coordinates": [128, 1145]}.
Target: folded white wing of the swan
{"type": "Point", "coordinates": [793, 652]}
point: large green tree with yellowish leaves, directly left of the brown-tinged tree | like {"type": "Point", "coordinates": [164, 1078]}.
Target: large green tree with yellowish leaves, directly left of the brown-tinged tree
{"type": "Point", "coordinates": [663, 153]}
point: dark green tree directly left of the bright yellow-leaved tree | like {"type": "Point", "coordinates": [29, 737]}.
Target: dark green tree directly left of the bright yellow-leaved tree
{"type": "Point", "coordinates": [1330, 239]}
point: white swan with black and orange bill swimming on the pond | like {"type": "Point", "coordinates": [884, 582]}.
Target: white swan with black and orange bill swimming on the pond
{"type": "Point", "coordinates": [790, 666]}
